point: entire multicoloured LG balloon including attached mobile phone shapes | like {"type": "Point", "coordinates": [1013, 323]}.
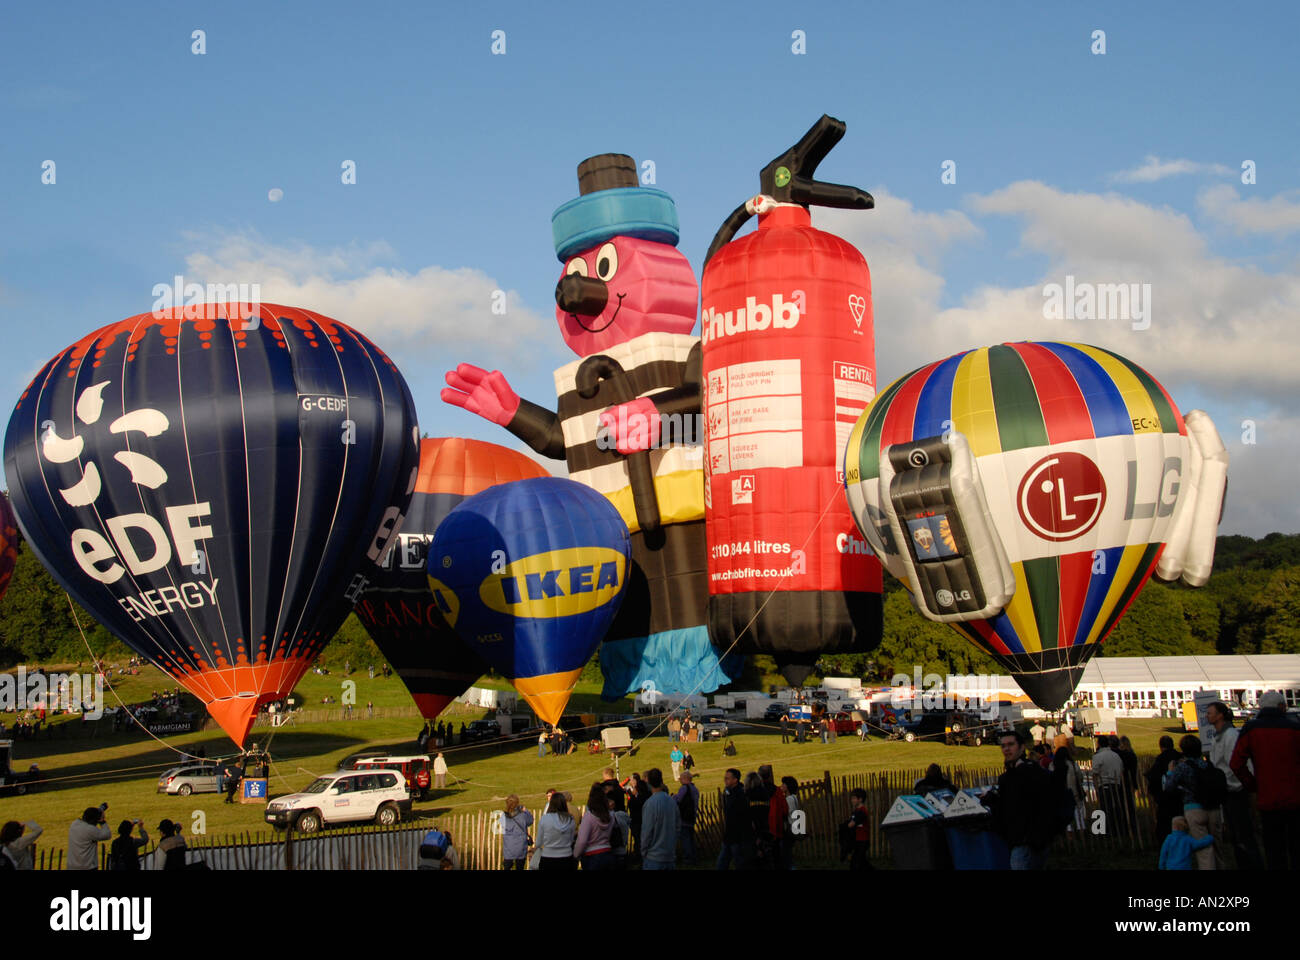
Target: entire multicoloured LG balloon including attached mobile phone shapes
{"type": "Point", "coordinates": [1025, 494]}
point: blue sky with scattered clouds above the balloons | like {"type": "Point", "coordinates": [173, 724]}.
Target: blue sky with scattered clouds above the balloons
{"type": "Point", "coordinates": [1115, 168]}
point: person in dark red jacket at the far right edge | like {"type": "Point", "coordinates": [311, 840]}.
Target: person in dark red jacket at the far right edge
{"type": "Point", "coordinates": [1271, 745]}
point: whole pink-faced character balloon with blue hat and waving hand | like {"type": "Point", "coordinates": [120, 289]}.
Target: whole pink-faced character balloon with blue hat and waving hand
{"type": "Point", "coordinates": [627, 418]}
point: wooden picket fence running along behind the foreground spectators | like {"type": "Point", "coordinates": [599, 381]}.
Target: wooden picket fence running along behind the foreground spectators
{"type": "Point", "coordinates": [826, 803]}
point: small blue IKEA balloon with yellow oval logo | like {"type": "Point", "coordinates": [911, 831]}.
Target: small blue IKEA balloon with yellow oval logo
{"type": "Point", "coordinates": [531, 576]}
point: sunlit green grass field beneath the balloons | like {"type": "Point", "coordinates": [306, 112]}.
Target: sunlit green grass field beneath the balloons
{"type": "Point", "coordinates": [123, 769]}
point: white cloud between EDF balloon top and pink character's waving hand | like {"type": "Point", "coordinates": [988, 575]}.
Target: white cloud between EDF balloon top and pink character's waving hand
{"type": "Point", "coordinates": [413, 317]}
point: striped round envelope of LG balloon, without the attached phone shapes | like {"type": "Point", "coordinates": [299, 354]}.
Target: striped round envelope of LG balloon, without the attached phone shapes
{"type": "Point", "coordinates": [1081, 455]}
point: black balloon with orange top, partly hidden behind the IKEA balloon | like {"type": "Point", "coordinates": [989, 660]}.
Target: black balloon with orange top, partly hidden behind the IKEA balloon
{"type": "Point", "coordinates": [397, 607]}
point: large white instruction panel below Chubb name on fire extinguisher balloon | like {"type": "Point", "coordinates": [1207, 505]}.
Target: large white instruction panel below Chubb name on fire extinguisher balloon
{"type": "Point", "coordinates": [756, 417]}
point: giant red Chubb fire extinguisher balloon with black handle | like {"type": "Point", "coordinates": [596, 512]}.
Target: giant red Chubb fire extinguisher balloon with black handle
{"type": "Point", "coordinates": [790, 366]}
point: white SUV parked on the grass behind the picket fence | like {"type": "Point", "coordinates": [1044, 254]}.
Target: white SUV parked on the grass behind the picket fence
{"type": "Point", "coordinates": [344, 797]}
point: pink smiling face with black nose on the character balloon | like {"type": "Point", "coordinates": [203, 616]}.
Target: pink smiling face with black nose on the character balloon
{"type": "Point", "coordinates": [622, 289]}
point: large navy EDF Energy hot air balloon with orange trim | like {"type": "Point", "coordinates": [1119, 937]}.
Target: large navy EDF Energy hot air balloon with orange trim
{"type": "Point", "coordinates": [214, 483]}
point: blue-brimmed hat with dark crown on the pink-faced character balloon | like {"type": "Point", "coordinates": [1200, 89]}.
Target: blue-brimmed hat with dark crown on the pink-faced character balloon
{"type": "Point", "coordinates": [613, 204]}
